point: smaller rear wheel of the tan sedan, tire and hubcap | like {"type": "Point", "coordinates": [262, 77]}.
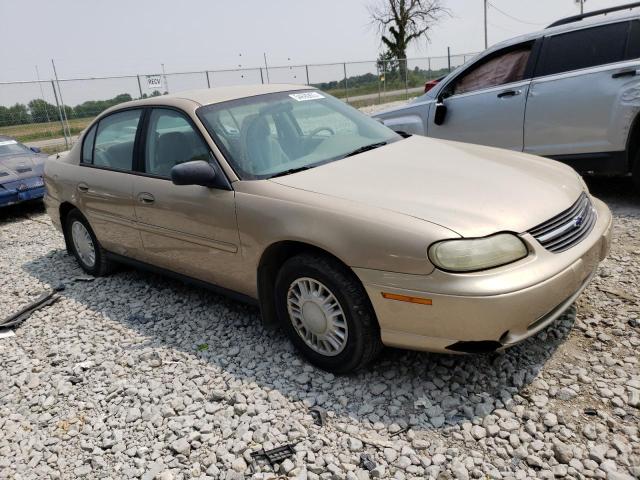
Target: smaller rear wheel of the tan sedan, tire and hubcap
{"type": "Point", "coordinates": [85, 246]}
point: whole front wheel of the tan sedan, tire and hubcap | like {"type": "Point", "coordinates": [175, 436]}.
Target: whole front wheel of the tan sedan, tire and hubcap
{"type": "Point", "coordinates": [326, 313]}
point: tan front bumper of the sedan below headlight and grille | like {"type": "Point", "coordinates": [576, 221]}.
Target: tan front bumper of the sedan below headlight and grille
{"type": "Point", "coordinates": [487, 310]}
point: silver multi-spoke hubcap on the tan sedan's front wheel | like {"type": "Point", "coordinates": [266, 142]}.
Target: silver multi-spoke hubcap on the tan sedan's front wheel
{"type": "Point", "coordinates": [317, 316]}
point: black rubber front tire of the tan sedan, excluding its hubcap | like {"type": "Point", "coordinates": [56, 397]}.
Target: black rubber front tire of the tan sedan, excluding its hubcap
{"type": "Point", "coordinates": [363, 339]}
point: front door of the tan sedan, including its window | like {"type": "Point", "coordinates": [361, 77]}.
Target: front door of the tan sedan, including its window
{"type": "Point", "coordinates": [190, 229]}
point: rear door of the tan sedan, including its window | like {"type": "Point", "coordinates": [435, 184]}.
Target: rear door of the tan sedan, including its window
{"type": "Point", "coordinates": [105, 181]}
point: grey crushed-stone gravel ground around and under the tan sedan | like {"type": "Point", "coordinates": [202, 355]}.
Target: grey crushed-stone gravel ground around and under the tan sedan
{"type": "Point", "coordinates": [137, 376]}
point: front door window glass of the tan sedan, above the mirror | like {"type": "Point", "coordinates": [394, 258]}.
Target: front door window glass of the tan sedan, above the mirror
{"type": "Point", "coordinates": [171, 140]}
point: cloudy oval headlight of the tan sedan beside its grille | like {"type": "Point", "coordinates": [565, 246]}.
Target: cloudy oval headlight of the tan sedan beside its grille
{"type": "Point", "coordinates": [471, 254]}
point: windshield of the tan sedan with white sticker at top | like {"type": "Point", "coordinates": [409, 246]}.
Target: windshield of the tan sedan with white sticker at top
{"type": "Point", "coordinates": [280, 133]}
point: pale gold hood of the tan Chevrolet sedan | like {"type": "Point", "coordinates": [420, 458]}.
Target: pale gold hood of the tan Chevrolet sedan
{"type": "Point", "coordinates": [471, 189]}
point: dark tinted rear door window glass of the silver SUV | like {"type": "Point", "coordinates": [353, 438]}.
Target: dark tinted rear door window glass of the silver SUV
{"type": "Point", "coordinates": [585, 48]}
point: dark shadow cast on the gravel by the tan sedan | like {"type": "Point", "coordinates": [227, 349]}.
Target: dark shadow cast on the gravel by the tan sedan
{"type": "Point", "coordinates": [428, 391]}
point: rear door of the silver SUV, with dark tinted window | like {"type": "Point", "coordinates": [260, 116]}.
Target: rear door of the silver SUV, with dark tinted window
{"type": "Point", "coordinates": [585, 91]}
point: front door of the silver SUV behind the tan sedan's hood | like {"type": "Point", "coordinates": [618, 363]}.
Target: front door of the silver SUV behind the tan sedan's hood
{"type": "Point", "coordinates": [486, 102]}
